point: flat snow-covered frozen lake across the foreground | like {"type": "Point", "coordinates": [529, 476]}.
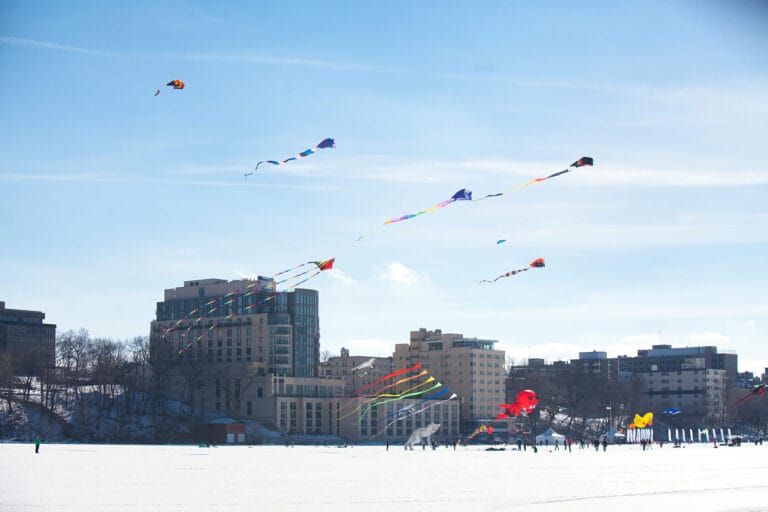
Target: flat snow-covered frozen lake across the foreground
{"type": "Point", "coordinates": [368, 478]}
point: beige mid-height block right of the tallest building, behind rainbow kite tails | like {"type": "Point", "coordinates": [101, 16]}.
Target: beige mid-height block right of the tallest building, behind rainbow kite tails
{"type": "Point", "coordinates": [470, 367]}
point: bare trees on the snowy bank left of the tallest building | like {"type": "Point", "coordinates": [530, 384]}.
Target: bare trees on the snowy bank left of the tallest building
{"type": "Point", "coordinates": [100, 389]}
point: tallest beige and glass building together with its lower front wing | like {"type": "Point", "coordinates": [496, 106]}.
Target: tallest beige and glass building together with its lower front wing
{"type": "Point", "coordinates": [241, 348]}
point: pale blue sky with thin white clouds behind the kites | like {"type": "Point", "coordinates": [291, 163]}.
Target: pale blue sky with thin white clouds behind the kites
{"type": "Point", "coordinates": [110, 195]}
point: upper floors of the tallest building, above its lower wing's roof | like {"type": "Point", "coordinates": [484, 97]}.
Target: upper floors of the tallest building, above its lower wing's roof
{"type": "Point", "coordinates": [220, 321]}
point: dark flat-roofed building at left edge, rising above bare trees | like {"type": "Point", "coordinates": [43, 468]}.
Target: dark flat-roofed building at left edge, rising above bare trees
{"type": "Point", "coordinates": [24, 331]}
